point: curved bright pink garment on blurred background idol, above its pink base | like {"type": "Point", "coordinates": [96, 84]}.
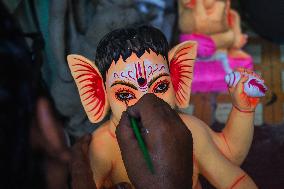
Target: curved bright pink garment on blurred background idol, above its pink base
{"type": "Point", "coordinates": [206, 46]}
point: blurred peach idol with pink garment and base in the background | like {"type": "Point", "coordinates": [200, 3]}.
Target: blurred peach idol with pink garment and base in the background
{"type": "Point", "coordinates": [216, 28]}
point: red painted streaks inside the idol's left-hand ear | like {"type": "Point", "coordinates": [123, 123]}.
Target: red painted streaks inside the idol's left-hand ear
{"type": "Point", "coordinates": [90, 78]}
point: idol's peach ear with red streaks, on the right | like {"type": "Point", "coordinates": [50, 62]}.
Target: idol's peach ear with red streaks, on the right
{"type": "Point", "coordinates": [182, 59]}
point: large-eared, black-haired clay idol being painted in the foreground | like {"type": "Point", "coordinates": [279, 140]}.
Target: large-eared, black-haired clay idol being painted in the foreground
{"type": "Point", "coordinates": [131, 62]}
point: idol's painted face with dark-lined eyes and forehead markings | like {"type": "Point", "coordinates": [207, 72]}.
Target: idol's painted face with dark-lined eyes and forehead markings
{"type": "Point", "coordinates": [126, 82]}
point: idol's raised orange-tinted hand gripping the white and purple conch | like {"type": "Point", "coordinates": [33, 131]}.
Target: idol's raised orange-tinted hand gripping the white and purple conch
{"type": "Point", "coordinates": [240, 99]}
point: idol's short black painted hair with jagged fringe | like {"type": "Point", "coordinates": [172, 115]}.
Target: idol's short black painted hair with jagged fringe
{"type": "Point", "coordinates": [125, 41]}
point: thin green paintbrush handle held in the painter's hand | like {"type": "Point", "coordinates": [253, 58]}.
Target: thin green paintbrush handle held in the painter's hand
{"type": "Point", "coordinates": [141, 143]}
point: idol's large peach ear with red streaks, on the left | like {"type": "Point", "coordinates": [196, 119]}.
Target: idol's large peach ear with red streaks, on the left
{"type": "Point", "coordinates": [91, 87]}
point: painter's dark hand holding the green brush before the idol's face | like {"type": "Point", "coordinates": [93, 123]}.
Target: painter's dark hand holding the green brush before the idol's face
{"type": "Point", "coordinates": [168, 141]}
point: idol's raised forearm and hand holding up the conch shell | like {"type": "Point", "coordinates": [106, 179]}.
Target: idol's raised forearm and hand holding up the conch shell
{"type": "Point", "coordinates": [238, 131]}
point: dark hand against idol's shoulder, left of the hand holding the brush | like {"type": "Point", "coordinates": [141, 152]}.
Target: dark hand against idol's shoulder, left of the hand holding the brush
{"type": "Point", "coordinates": [81, 173]}
